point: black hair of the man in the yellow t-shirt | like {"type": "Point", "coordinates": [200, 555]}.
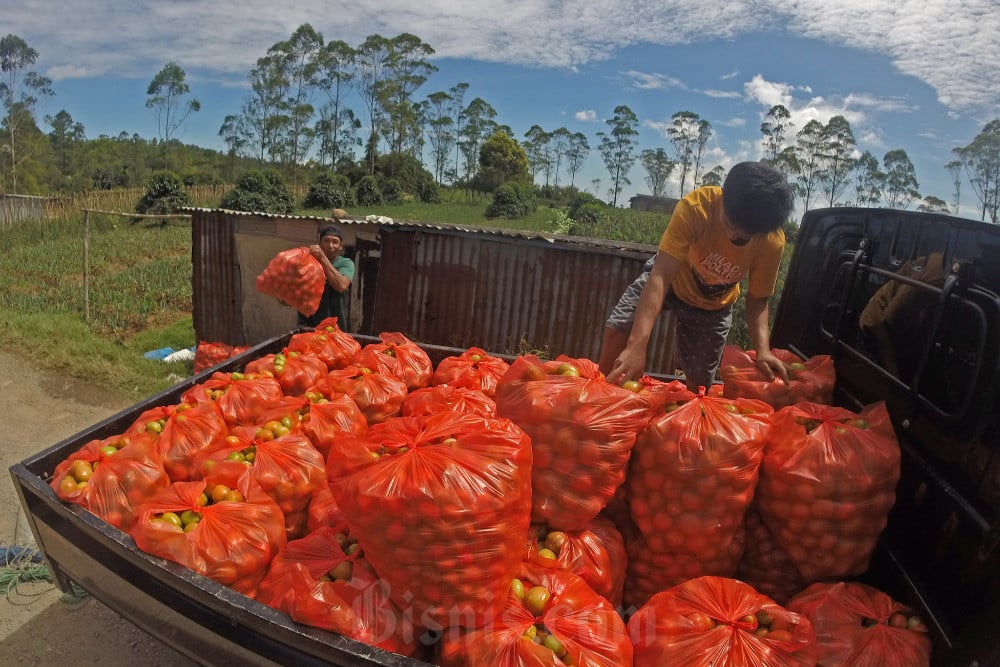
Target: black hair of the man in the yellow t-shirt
{"type": "Point", "coordinates": [756, 197]}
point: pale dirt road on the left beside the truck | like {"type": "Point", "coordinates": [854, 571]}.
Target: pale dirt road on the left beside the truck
{"type": "Point", "coordinates": [37, 627]}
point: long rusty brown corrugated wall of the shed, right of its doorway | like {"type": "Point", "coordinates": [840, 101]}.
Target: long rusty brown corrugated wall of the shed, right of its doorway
{"type": "Point", "coordinates": [505, 294]}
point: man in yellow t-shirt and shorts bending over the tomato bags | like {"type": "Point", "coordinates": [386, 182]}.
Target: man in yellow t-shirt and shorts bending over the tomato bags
{"type": "Point", "coordinates": [715, 237]}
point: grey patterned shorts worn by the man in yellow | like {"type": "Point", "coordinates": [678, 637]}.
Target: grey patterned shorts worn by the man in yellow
{"type": "Point", "coordinates": [701, 334]}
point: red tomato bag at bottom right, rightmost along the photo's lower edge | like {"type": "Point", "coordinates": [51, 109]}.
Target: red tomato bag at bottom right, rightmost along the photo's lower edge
{"type": "Point", "coordinates": [860, 626]}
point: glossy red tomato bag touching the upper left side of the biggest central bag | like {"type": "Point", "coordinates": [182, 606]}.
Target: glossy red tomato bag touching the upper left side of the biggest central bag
{"type": "Point", "coordinates": [284, 463]}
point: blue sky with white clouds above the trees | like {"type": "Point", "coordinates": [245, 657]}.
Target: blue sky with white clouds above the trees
{"type": "Point", "coordinates": [920, 75]}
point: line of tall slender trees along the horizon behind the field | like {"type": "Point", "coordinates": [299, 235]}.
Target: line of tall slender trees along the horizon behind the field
{"type": "Point", "coordinates": [315, 105]}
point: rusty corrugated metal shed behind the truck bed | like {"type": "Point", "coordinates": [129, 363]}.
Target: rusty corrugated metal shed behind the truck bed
{"type": "Point", "coordinates": [502, 290]}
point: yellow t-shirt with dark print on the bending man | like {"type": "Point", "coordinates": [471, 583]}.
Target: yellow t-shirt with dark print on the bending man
{"type": "Point", "coordinates": [711, 266]}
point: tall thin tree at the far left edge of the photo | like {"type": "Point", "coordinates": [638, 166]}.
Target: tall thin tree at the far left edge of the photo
{"type": "Point", "coordinates": [20, 88]}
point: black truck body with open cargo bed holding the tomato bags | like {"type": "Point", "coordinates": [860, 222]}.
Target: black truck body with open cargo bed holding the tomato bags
{"type": "Point", "coordinates": [937, 367]}
